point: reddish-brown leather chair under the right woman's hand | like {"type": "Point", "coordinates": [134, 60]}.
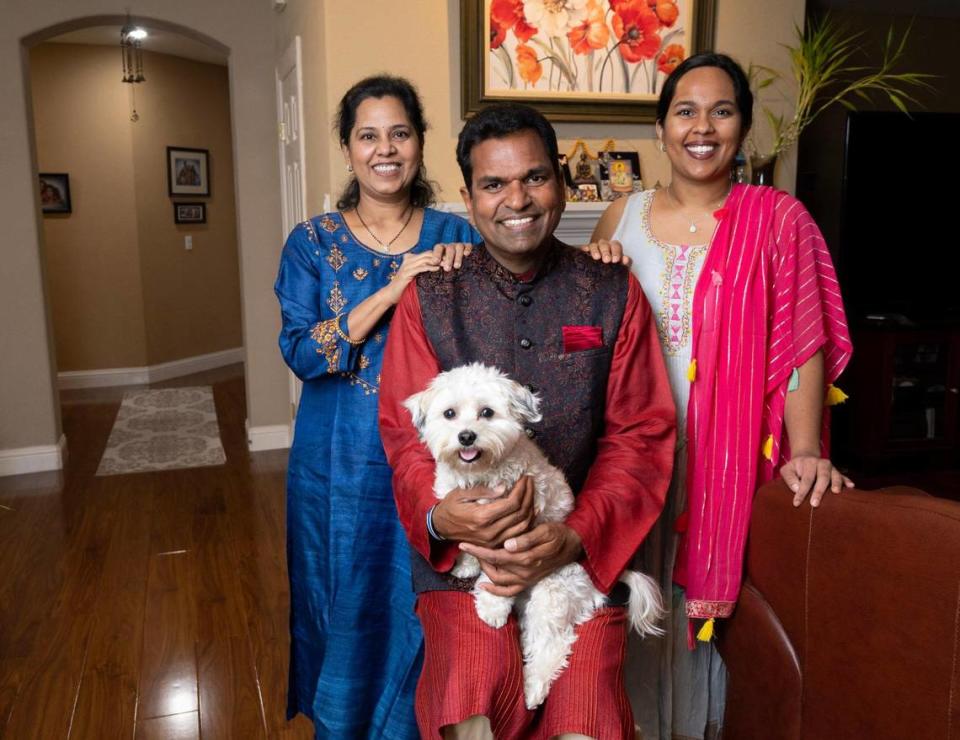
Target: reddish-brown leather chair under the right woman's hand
{"type": "Point", "coordinates": [848, 624]}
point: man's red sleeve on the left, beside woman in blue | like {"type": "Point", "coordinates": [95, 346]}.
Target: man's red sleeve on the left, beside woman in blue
{"type": "Point", "coordinates": [409, 364]}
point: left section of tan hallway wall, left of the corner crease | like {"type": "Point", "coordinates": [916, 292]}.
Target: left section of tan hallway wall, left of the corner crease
{"type": "Point", "coordinates": [93, 264]}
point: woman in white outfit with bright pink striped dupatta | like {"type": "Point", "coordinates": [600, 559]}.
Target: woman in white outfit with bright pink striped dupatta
{"type": "Point", "coordinates": [753, 332]}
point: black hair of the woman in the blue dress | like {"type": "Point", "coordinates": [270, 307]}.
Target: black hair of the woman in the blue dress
{"type": "Point", "coordinates": [383, 86]}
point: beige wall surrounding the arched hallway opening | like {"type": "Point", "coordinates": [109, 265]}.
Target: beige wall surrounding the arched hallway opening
{"type": "Point", "coordinates": [29, 413]}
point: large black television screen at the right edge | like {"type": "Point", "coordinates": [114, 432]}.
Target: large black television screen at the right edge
{"type": "Point", "coordinates": [899, 231]}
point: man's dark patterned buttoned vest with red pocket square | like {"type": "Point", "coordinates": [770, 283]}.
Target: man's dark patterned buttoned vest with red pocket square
{"type": "Point", "coordinates": [484, 313]}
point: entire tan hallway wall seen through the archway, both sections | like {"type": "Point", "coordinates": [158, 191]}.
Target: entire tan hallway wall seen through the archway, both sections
{"type": "Point", "coordinates": [123, 290]}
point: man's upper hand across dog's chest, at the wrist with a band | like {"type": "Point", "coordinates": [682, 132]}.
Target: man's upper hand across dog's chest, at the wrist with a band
{"type": "Point", "coordinates": [484, 517]}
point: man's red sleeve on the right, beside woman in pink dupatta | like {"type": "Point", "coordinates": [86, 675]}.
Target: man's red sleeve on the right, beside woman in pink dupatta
{"type": "Point", "coordinates": [627, 483]}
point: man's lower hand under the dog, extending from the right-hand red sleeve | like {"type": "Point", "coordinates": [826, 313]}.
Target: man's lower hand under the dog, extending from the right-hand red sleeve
{"type": "Point", "coordinates": [527, 558]}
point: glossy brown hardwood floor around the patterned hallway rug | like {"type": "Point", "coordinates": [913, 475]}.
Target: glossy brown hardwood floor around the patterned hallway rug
{"type": "Point", "coordinates": [151, 605]}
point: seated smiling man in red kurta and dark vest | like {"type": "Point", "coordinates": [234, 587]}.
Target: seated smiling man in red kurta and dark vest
{"type": "Point", "coordinates": [578, 333]}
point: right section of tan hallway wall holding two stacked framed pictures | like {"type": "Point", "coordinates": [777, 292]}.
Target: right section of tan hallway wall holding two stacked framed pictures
{"type": "Point", "coordinates": [191, 298]}
